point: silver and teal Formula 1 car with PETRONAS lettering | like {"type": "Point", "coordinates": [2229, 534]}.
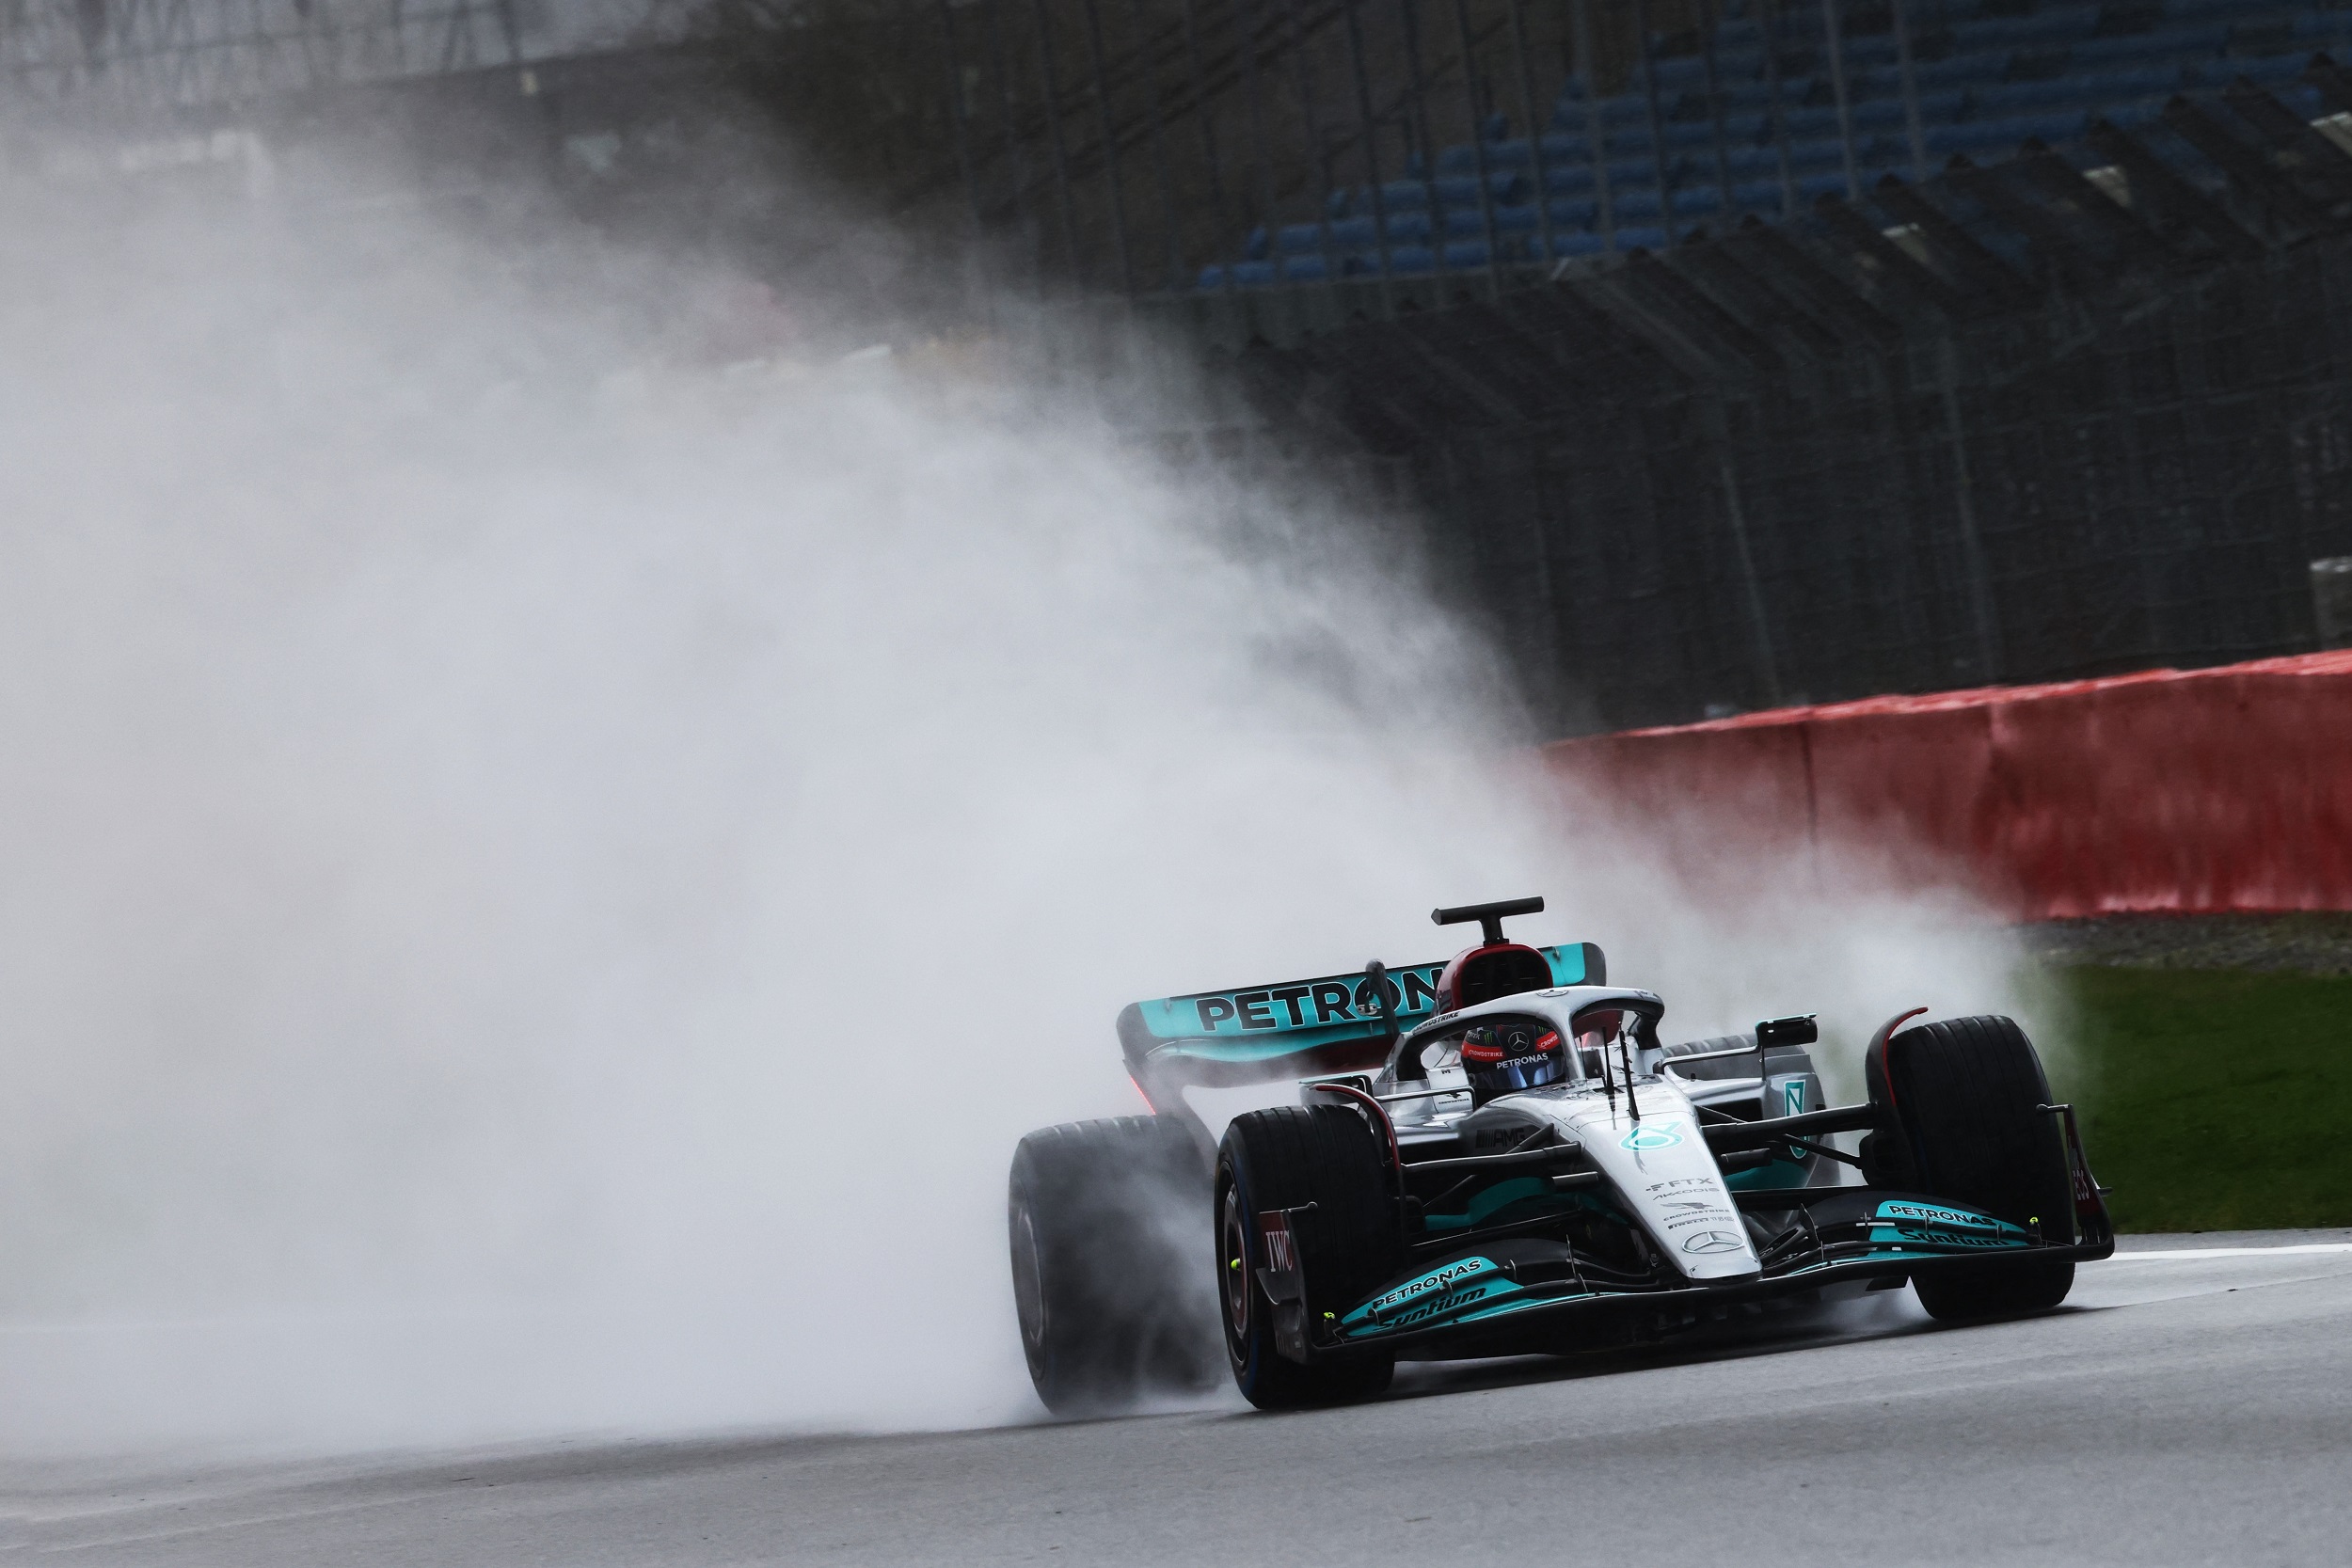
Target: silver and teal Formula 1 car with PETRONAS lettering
{"type": "Point", "coordinates": [1504, 1158]}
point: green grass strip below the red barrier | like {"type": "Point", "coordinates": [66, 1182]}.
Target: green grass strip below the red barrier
{"type": "Point", "coordinates": [2214, 1099]}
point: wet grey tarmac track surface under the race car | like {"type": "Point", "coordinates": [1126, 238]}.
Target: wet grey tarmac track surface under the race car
{"type": "Point", "coordinates": [2191, 1405]}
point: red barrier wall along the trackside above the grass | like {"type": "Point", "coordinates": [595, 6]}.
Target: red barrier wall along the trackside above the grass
{"type": "Point", "coordinates": [2167, 791]}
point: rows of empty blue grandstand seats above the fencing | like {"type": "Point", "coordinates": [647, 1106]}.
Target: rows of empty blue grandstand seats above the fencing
{"type": "Point", "coordinates": [1775, 109]}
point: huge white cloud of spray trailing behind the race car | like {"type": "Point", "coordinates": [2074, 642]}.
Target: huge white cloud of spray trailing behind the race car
{"type": "Point", "coordinates": [540, 880]}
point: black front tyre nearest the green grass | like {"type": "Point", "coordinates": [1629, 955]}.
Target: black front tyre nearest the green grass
{"type": "Point", "coordinates": [1965, 1097]}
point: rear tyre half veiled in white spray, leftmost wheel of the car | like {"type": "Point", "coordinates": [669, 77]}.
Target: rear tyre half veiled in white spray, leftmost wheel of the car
{"type": "Point", "coordinates": [1109, 1221]}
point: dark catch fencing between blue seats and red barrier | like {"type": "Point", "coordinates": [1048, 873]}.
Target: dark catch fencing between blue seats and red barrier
{"type": "Point", "coordinates": [2017, 424]}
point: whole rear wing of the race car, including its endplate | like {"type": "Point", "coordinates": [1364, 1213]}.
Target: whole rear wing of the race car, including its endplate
{"type": "Point", "coordinates": [1297, 1028]}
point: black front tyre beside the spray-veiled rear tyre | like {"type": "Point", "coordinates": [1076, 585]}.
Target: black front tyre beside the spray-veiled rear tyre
{"type": "Point", "coordinates": [1290, 1158]}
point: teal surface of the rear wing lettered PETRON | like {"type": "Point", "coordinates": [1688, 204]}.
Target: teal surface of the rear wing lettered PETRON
{"type": "Point", "coordinates": [1262, 1021]}
